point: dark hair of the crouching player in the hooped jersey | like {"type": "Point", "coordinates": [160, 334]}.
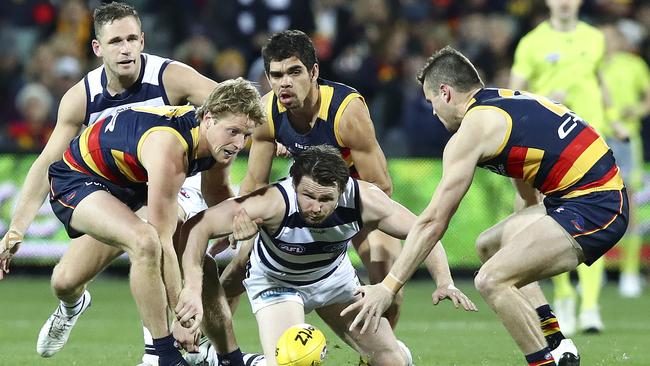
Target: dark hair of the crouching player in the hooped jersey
{"type": "Point", "coordinates": [323, 164]}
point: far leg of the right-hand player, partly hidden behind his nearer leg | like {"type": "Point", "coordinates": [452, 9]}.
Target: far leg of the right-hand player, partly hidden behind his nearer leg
{"type": "Point", "coordinates": [490, 241]}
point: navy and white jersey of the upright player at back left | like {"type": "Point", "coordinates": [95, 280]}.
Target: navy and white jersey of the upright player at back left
{"type": "Point", "coordinates": [148, 91]}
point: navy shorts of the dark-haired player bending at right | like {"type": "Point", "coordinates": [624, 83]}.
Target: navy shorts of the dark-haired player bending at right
{"type": "Point", "coordinates": [597, 221]}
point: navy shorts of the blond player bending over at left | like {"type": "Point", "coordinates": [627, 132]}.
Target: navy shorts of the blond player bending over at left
{"type": "Point", "coordinates": [69, 187]}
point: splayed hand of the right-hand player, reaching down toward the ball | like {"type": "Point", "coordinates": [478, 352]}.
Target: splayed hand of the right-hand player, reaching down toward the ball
{"type": "Point", "coordinates": [374, 301]}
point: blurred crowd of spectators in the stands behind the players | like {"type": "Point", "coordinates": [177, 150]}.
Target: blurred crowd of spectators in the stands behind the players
{"type": "Point", "coordinates": [376, 46]}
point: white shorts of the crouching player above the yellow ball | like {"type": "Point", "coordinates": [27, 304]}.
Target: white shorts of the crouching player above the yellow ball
{"type": "Point", "coordinates": [337, 288]}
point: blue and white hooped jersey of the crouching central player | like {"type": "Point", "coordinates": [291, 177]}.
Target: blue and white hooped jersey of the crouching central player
{"type": "Point", "coordinates": [301, 254]}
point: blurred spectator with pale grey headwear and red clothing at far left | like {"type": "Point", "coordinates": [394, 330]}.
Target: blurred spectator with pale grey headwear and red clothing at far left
{"type": "Point", "coordinates": [31, 131]}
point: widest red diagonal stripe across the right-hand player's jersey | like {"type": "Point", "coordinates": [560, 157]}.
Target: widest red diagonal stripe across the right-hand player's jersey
{"type": "Point", "coordinates": [569, 155]}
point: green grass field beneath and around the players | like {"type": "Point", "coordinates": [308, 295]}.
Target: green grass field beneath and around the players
{"type": "Point", "coordinates": [110, 334]}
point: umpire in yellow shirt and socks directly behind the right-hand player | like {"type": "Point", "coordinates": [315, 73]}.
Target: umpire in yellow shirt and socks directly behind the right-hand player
{"type": "Point", "coordinates": [560, 59]}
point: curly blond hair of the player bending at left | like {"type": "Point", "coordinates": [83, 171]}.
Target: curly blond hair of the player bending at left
{"type": "Point", "coordinates": [236, 96]}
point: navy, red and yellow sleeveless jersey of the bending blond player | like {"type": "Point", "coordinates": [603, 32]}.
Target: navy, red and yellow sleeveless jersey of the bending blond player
{"type": "Point", "coordinates": [110, 148]}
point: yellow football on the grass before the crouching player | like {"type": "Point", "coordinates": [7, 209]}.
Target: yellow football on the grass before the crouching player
{"type": "Point", "coordinates": [301, 345]}
